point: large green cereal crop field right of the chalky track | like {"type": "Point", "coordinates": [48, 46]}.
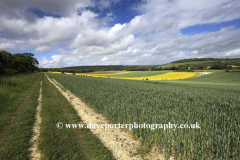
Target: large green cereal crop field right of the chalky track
{"type": "Point", "coordinates": [216, 110]}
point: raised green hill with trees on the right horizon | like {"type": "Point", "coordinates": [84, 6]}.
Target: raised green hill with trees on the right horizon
{"type": "Point", "coordinates": [202, 63]}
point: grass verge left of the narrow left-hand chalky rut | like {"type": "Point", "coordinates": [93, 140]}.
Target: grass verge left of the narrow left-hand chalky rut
{"type": "Point", "coordinates": [18, 96]}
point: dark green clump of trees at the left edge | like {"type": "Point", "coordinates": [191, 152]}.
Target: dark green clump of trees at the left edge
{"type": "Point", "coordinates": [17, 63]}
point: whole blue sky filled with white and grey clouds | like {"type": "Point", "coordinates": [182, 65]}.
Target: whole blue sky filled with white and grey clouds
{"type": "Point", "coordinates": [63, 33]}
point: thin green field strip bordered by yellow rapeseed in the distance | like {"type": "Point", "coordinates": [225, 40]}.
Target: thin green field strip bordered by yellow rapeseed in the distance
{"type": "Point", "coordinates": [140, 74]}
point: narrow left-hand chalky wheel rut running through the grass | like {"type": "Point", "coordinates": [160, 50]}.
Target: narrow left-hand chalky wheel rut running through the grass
{"type": "Point", "coordinates": [35, 153]}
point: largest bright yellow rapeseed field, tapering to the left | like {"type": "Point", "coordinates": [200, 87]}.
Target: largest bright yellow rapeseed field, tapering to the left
{"type": "Point", "coordinates": [166, 76]}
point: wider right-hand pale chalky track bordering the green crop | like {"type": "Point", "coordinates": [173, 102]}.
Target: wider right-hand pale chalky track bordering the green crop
{"type": "Point", "coordinates": [119, 142]}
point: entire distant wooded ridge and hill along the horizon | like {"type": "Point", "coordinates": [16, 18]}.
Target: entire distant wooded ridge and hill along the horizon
{"type": "Point", "coordinates": [180, 65]}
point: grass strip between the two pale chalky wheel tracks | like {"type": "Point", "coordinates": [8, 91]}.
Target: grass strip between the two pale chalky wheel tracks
{"type": "Point", "coordinates": [65, 143]}
